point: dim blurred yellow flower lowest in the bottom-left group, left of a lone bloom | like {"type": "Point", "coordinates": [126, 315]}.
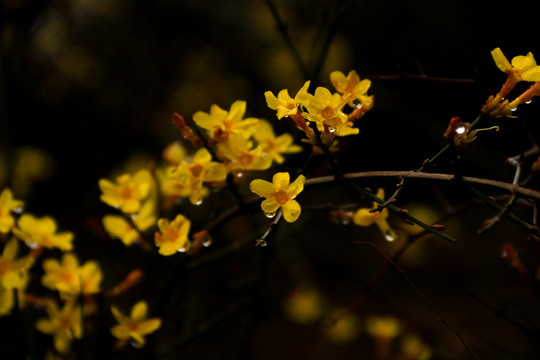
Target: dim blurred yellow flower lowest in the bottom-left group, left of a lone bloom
{"type": "Point", "coordinates": [65, 325]}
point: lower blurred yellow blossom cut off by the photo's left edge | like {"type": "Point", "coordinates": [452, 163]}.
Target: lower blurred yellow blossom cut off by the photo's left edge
{"type": "Point", "coordinates": [13, 275]}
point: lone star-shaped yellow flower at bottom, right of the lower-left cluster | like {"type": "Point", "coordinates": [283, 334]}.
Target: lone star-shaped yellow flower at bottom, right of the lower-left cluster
{"type": "Point", "coordinates": [134, 327]}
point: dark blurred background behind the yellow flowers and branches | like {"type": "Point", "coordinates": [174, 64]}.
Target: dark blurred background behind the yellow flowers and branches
{"type": "Point", "coordinates": [88, 87]}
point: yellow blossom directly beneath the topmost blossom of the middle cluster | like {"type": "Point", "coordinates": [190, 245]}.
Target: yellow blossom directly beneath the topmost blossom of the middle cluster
{"type": "Point", "coordinates": [240, 156]}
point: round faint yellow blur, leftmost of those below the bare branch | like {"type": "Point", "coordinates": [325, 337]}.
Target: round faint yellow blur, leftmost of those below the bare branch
{"type": "Point", "coordinates": [304, 306]}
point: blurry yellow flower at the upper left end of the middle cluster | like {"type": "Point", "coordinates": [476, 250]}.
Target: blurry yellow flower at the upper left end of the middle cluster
{"type": "Point", "coordinates": [128, 192]}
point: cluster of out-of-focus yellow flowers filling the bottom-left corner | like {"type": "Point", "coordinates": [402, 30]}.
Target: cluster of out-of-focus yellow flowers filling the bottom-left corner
{"type": "Point", "coordinates": [66, 277]}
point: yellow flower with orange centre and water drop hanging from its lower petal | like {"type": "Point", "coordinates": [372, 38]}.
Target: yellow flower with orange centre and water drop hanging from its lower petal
{"type": "Point", "coordinates": [191, 176]}
